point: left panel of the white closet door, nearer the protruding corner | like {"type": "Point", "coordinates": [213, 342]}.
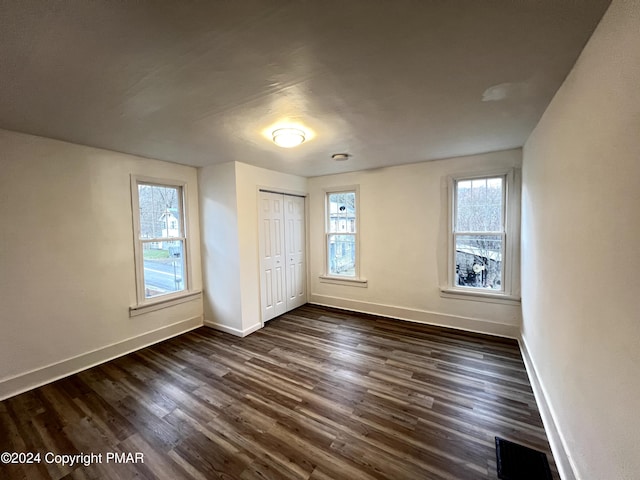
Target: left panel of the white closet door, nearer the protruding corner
{"type": "Point", "coordinates": [272, 255]}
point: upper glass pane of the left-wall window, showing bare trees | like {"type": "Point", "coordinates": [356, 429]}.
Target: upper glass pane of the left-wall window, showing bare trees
{"type": "Point", "coordinates": [159, 211]}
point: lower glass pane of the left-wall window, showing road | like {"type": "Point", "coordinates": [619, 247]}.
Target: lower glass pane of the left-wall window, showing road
{"type": "Point", "coordinates": [163, 267]}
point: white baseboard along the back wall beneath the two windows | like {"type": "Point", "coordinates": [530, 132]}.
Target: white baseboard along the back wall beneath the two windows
{"type": "Point", "coordinates": [419, 316]}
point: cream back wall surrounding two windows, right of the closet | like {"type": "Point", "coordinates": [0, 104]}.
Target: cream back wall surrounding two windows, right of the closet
{"type": "Point", "coordinates": [403, 243]}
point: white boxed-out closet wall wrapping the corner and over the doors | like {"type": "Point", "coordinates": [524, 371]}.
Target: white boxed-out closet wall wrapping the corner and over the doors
{"type": "Point", "coordinates": [229, 218]}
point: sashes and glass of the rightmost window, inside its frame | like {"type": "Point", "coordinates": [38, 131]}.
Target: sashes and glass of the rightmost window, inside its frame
{"type": "Point", "coordinates": [479, 236]}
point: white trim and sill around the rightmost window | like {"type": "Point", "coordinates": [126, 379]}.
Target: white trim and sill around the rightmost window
{"type": "Point", "coordinates": [511, 264]}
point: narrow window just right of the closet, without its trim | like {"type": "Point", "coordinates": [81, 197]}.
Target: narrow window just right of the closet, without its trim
{"type": "Point", "coordinates": [341, 234]}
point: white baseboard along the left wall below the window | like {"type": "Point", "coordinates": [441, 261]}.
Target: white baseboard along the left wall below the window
{"type": "Point", "coordinates": [41, 376]}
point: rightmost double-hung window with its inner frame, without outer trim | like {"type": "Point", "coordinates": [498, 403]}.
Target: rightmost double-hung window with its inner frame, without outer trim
{"type": "Point", "coordinates": [483, 235]}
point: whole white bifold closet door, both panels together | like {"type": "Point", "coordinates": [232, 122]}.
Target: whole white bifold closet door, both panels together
{"type": "Point", "coordinates": [282, 253]}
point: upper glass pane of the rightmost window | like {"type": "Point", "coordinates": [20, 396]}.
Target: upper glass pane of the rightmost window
{"type": "Point", "coordinates": [479, 205]}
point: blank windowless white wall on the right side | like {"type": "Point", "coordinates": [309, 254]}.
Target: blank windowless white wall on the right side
{"type": "Point", "coordinates": [580, 250]}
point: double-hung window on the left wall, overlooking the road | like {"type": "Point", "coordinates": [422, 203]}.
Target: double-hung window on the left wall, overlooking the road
{"type": "Point", "coordinates": [161, 241]}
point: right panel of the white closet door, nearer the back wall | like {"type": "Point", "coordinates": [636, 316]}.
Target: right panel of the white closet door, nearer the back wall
{"type": "Point", "coordinates": [295, 247]}
